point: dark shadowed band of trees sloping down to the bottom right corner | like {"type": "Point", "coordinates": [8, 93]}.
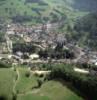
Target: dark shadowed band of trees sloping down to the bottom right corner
{"type": "Point", "coordinates": [84, 83]}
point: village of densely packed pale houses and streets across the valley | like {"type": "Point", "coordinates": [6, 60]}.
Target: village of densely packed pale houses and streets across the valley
{"type": "Point", "coordinates": [42, 37]}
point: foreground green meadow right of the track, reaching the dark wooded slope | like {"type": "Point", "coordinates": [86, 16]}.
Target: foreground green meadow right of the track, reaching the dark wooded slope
{"type": "Point", "coordinates": [51, 90]}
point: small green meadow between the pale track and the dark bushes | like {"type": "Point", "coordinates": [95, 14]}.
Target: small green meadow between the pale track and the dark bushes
{"type": "Point", "coordinates": [25, 83]}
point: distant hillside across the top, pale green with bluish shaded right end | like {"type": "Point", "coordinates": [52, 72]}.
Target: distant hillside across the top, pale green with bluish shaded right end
{"type": "Point", "coordinates": [37, 11]}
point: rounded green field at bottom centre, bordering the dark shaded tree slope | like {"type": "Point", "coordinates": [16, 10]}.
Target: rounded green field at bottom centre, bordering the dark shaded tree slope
{"type": "Point", "coordinates": [52, 90]}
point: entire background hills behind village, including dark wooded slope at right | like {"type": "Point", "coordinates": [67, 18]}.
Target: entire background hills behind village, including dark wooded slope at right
{"type": "Point", "coordinates": [71, 13]}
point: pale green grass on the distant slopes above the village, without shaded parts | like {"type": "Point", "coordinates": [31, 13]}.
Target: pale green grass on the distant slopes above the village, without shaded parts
{"type": "Point", "coordinates": [8, 9]}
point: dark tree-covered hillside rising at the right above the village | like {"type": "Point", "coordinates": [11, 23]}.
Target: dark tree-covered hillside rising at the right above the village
{"type": "Point", "coordinates": [86, 30]}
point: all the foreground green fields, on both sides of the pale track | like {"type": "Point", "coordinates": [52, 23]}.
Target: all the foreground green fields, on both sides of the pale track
{"type": "Point", "coordinates": [24, 87]}
